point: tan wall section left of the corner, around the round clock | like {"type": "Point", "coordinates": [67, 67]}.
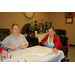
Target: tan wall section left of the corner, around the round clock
{"type": "Point", "coordinates": [8, 18]}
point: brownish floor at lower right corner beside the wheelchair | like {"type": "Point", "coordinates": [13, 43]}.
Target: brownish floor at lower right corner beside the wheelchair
{"type": "Point", "coordinates": [71, 54]}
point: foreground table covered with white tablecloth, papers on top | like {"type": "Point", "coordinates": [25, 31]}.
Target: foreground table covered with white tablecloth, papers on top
{"type": "Point", "coordinates": [29, 55]}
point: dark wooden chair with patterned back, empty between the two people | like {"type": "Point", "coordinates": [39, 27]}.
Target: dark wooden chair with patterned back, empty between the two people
{"type": "Point", "coordinates": [31, 38]}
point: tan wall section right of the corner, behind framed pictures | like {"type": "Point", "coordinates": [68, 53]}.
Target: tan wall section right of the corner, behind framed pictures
{"type": "Point", "coordinates": [58, 22]}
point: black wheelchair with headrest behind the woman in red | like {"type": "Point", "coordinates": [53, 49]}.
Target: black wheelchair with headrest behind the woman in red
{"type": "Point", "coordinates": [64, 41]}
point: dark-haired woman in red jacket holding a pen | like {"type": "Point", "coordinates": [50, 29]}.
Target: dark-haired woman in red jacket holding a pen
{"type": "Point", "coordinates": [51, 40]}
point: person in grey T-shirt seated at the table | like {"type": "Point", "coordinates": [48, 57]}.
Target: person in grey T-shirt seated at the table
{"type": "Point", "coordinates": [15, 41]}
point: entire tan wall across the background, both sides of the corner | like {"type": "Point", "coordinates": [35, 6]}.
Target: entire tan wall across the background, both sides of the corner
{"type": "Point", "coordinates": [57, 19]}
